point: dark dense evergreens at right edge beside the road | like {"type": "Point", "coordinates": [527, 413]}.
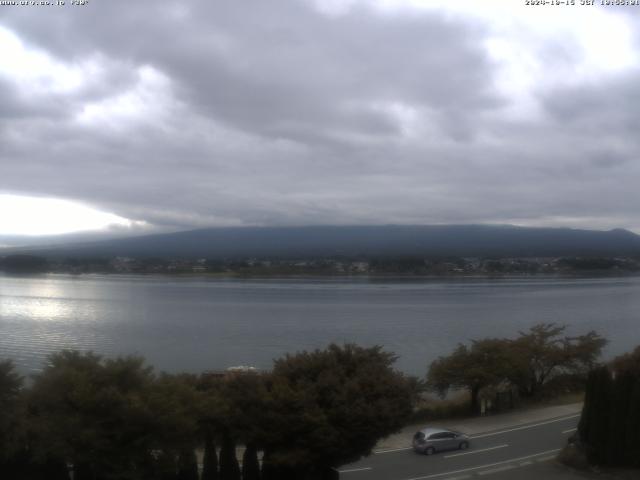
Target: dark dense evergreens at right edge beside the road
{"type": "Point", "coordinates": [609, 428]}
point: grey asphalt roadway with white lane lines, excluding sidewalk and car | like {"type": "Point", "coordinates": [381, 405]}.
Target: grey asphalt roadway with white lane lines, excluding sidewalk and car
{"type": "Point", "coordinates": [490, 454]}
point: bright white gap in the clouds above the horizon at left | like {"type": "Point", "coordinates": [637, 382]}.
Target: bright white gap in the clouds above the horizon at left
{"type": "Point", "coordinates": [22, 215]}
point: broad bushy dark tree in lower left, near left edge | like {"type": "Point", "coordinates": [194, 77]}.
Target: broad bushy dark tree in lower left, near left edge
{"type": "Point", "coordinates": [92, 413]}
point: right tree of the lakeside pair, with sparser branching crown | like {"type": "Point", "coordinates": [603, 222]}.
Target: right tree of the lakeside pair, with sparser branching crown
{"type": "Point", "coordinates": [542, 353]}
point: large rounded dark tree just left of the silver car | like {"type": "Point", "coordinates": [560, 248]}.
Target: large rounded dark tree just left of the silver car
{"type": "Point", "coordinates": [329, 407]}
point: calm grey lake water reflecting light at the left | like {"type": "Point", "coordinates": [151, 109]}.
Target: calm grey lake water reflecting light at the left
{"type": "Point", "coordinates": [195, 324]}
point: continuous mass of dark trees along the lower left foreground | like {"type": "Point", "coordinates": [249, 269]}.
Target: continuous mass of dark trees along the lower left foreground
{"type": "Point", "coordinates": [108, 419]}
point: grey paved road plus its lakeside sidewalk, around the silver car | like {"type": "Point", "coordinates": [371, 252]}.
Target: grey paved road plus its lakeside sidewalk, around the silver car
{"type": "Point", "coordinates": [500, 444]}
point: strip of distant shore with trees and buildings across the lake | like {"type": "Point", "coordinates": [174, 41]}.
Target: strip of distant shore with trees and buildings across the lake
{"type": "Point", "coordinates": [324, 265]}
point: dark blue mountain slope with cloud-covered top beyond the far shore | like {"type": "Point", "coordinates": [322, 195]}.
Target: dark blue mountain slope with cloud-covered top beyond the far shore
{"type": "Point", "coordinates": [365, 241]}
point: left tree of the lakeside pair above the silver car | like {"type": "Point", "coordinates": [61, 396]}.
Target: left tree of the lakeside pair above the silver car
{"type": "Point", "coordinates": [484, 363]}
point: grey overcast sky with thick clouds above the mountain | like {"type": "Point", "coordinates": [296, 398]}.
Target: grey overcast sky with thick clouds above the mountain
{"type": "Point", "coordinates": [181, 115]}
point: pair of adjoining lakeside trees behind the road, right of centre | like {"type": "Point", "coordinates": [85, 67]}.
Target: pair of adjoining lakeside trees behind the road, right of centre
{"type": "Point", "coordinates": [538, 362]}
